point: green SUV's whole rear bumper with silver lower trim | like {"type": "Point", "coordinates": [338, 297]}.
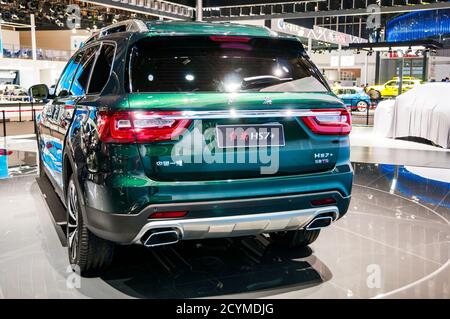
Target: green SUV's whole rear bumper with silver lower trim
{"type": "Point", "coordinates": [218, 219]}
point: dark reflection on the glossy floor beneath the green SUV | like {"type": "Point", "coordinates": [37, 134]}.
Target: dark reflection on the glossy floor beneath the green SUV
{"type": "Point", "coordinates": [210, 268]}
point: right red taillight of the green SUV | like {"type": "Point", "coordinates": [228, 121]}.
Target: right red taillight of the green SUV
{"type": "Point", "coordinates": [329, 122]}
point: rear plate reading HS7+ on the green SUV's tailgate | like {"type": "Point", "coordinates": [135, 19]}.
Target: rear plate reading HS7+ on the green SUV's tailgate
{"type": "Point", "coordinates": [249, 135]}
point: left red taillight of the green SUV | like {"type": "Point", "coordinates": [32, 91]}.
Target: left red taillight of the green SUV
{"type": "Point", "coordinates": [140, 126]}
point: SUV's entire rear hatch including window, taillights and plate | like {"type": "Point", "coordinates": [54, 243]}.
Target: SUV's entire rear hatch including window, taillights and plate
{"type": "Point", "coordinates": [206, 108]}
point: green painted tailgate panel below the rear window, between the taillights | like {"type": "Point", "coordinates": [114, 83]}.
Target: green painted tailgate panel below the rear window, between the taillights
{"type": "Point", "coordinates": [237, 136]}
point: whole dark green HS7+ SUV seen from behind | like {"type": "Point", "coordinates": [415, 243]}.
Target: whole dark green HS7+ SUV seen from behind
{"type": "Point", "coordinates": [159, 132]}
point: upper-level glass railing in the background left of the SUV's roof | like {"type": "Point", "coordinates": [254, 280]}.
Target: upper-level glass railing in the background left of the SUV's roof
{"type": "Point", "coordinates": [16, 52]}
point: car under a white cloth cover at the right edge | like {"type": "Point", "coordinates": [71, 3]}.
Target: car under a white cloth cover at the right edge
{"type": "Point", "coordinates": [423, 111]}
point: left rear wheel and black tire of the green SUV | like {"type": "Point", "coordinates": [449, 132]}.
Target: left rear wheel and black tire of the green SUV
{"type": "Point", "coordinates": [88, 253]}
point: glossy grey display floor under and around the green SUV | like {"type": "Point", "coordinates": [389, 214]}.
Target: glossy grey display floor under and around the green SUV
{"type": "Point", "coordinates": [394, 242]}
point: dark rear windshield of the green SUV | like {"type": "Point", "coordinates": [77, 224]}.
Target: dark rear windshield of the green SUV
{"type": "Point", "coordinates": [221, 64]}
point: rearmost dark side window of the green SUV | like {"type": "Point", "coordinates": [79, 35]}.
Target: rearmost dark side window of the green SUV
{"type": "Point", "coordinates": [102, 69]}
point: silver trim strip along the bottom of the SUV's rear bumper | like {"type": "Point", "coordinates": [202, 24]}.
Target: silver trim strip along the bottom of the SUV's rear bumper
{"type": "Point", "coordinates": [240, 225]}
